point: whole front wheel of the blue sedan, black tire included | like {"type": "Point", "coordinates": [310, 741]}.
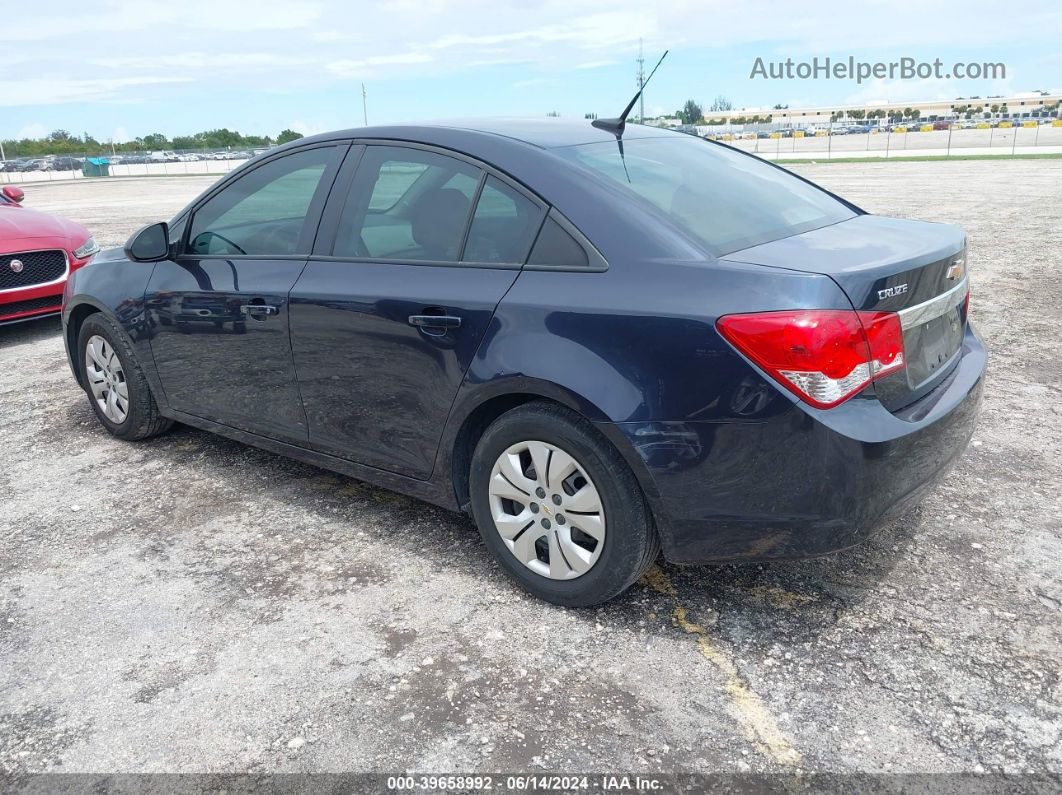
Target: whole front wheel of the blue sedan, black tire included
{"type": "Point", "coordinates": [112, 377]}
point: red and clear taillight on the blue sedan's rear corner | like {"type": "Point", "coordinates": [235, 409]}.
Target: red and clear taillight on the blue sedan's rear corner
{"type": "Point", "coordinates": [823, 356]}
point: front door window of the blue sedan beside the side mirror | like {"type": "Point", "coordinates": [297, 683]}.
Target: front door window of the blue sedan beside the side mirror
{"type": "Point", "coordinates": [264, 213]}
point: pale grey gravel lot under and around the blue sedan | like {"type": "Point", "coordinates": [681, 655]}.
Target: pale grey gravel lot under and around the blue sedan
{"type": "Point", "coordinates": [191, 604]}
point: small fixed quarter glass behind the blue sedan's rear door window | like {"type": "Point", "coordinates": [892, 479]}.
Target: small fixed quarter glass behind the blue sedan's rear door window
{"type": "Point", "coordinates": [504, 227]}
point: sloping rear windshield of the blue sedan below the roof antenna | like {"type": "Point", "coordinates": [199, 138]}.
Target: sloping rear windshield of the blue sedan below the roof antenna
{"type": "Point", "coordinates": [724, 199]}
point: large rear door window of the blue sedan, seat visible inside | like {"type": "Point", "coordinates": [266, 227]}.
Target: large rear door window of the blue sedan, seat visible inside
{"type": "Point", "coordinates": [407, 204]}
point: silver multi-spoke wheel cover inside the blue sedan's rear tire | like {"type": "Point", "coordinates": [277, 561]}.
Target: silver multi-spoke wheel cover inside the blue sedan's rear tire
{"type": "Point", "coordinates": [547, 510]}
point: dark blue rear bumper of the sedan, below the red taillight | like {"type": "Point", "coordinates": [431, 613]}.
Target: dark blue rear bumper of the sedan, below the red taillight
{"type": "Point", "coordinates": [792, 481]}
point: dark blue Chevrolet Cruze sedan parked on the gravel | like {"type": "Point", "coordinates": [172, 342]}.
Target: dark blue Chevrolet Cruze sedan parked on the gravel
{"type": "Point", "coordinates": [598, 347]}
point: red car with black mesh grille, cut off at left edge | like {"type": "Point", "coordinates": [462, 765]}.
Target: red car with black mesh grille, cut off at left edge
{"type": "Point", "coordinates": [38, 254]}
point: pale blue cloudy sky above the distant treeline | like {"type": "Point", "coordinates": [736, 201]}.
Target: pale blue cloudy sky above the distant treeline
{"type": "Point", "coordinates": [128, 68]}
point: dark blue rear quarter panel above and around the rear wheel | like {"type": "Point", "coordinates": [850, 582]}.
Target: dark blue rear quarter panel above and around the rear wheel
{"type": "Point", "coordinates": [635, 350]}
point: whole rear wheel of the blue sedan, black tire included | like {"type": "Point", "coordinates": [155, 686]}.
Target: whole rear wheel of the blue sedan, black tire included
{"type": "Point", "coordinates": [559, 508]}
